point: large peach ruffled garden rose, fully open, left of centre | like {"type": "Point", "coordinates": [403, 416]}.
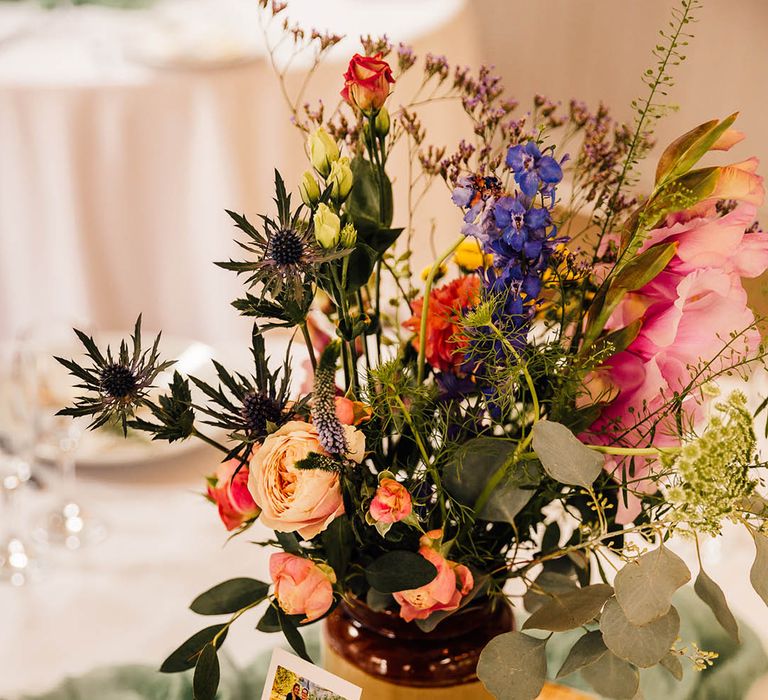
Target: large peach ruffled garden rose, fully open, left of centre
{"type": "Point", "coordinates": [293, 499]}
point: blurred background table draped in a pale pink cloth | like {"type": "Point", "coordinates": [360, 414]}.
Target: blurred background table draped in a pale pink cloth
{"type": "Point", "coordinates": [124, 134]}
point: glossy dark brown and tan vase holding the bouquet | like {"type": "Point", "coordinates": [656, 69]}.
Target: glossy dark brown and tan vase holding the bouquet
{"type": "Point", "coordinates": [394, 660]}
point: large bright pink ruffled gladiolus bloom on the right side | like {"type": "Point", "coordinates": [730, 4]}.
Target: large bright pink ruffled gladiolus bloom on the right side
{"type": "Point", "coordinates": [688, 312]}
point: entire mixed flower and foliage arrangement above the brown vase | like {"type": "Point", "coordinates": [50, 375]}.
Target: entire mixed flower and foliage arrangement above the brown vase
{"type": "Point", "coordinates": [544, 415]}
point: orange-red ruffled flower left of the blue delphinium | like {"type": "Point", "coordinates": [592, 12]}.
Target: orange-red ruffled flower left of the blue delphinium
{"type": "Point", "coordinates": [445, 344]}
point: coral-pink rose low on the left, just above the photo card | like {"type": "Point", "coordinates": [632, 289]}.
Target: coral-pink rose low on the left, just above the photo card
{"type": "Point", "coordinates": [301, 586]}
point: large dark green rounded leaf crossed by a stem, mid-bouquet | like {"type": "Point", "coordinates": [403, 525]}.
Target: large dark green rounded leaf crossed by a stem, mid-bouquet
{"type": "Point", "coordinates": [473, 465]}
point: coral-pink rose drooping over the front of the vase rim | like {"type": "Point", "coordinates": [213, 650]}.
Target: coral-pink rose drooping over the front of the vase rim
{"type": "Point", "coordinates": [444, 592]}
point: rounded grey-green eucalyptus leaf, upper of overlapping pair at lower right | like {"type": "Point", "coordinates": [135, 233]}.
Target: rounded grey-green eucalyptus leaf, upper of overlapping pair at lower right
{"type": "Point", "coordinates": [644, 587]}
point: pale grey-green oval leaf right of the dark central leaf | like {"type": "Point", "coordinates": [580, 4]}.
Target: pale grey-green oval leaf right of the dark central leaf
{"type": "Point", "coordinates": [564, 457]}
